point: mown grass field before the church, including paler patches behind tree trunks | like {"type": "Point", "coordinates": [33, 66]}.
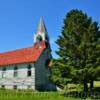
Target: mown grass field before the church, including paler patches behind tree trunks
{"type": "Point", "coordinates": [35, 95]}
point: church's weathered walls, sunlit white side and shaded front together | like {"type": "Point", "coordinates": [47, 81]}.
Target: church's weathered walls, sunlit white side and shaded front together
{"type": "Point", "coordinates": [38, 80]}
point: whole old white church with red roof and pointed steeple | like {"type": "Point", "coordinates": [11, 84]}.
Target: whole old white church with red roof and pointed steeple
{"type": "Point", "coordinates": [28, 68]}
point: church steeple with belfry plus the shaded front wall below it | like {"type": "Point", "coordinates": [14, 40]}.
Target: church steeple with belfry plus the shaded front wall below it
{"type": "Point", "coordinates": [43, 70]}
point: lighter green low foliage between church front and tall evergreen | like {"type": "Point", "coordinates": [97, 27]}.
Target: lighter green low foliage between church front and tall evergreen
{"type": "Point", "coordinates": [61, 74]}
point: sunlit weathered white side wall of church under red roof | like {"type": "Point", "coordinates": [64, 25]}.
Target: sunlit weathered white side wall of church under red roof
{"type": "Point", "coordinates": [21, 81]}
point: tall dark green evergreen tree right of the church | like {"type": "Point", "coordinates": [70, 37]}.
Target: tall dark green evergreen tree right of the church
{"type": "Point", "coordinates": [79, 48]}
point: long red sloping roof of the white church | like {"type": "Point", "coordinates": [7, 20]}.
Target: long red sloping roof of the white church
{"type": "Point", "coordinates": [24, 55]}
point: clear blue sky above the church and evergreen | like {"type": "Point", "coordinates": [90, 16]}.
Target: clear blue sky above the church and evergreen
{"type": "Point", "coordinates": [19, 19]}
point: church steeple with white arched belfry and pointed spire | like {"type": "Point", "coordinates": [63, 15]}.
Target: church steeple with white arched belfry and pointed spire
{"type": "Point", "coordinates": [41, 33]}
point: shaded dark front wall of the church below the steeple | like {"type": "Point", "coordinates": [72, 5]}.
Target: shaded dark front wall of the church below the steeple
{"type": "Point", "coordinates": [42, 71]}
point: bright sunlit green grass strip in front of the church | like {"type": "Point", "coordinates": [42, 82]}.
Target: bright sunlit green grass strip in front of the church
{"type": "Point", "coordinates": [26, 95]}
